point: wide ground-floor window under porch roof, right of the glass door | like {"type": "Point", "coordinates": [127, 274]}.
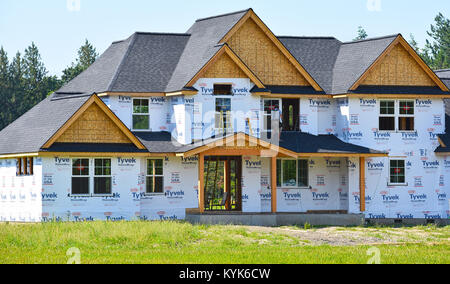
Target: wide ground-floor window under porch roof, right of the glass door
{"type": "Point", "coordinates": [292, 173]}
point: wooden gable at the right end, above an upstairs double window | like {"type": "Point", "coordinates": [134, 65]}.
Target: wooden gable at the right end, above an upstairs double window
{"type": "Point", "coordinates": [399, 65]}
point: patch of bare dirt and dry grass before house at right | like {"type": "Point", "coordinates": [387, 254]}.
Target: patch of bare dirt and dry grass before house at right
{"type": "Point", "coordinates": [338, 236]}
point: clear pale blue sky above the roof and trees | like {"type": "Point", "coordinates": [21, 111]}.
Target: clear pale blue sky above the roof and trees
{"type": "Point", "coordinates": [59, 31]}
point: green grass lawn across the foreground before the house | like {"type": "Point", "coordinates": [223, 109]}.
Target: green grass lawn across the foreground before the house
{"type": "Point", "coordinates": [177, 242]}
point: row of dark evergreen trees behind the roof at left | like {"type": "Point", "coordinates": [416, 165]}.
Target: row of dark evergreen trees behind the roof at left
{"type": "Point", "coordinates": [24, 80]}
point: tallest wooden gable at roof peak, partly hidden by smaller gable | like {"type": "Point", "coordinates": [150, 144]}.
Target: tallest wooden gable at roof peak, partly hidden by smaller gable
{"type": "Point", "coordinates": [265, 55]}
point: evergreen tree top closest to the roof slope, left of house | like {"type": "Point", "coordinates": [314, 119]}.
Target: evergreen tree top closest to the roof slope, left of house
{"type": "Point", "coordinates": [87, 55]}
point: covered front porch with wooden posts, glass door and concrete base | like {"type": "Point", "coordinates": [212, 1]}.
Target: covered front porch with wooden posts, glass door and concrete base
{"type": "Point", "coordinates": [257, 178]}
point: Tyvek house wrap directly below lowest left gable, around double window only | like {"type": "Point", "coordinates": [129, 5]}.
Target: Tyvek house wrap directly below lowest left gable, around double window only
{"type": "Point", "coordinates": [59, 204]}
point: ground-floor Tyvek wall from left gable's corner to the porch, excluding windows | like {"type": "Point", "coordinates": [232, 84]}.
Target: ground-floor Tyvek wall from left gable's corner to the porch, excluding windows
{"type": "Point", "coordinates": [128, 200]}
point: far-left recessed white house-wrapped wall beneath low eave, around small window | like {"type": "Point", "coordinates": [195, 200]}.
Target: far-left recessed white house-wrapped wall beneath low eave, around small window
{"type": "Point", "coordinates": [20, 197]}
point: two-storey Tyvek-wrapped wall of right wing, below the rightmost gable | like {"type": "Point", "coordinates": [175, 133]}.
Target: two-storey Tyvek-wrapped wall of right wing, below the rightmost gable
{"type": "Point", "coordinates": [426, 193]}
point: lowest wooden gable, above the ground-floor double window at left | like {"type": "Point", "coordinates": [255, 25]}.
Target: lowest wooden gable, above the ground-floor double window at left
{"type": "Point", "coordinates": [94, 122]}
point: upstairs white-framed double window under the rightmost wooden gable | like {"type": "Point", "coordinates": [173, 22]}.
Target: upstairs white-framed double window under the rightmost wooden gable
{"type": "Point", "coordinates": [388, 115]}
